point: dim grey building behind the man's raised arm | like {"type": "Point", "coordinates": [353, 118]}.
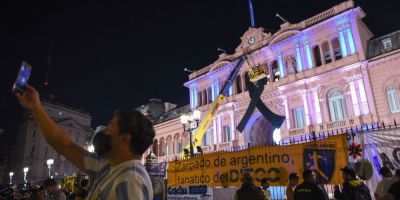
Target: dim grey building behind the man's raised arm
{"type": "Point", "coordinates": [32, 151]}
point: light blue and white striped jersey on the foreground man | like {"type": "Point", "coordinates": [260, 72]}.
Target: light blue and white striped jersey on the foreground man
{"type": "Point", "coordinates": [128, 180]}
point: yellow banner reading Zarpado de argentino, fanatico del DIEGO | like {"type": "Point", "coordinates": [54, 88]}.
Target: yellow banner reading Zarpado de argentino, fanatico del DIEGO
{"type": "Point", "coordinates": [326, 156]}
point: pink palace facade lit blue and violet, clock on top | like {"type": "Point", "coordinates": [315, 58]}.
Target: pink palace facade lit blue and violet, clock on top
{"type": "Point", "coordinates": [325, 73]}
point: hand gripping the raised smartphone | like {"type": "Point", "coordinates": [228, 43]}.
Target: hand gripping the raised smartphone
{"type": "Point", "coordinates": [29, 99]}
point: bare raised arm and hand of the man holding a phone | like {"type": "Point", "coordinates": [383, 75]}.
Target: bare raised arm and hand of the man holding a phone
{"type": "Point", "coordinates": [53, 133]}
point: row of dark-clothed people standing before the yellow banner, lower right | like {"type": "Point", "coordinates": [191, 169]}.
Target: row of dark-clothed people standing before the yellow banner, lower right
{"type": "Point", "coordinates": [353, 188]}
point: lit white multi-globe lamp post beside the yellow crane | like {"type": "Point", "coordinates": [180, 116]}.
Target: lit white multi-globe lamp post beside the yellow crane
{"type": "Point", "coordinates": [191, 122]}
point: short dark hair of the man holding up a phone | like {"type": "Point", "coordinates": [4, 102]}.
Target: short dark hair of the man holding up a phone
{"type": "Point", "coordinates": [140, 128]}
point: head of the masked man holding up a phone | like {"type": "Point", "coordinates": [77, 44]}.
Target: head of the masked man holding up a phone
{"type": "Point", "coordinates": [129, 131]}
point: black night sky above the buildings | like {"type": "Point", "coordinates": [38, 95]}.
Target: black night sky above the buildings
{"type": "Point", "coordinates": [107, 54]}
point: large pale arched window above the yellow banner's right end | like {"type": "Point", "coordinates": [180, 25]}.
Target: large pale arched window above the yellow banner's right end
{"type": "Point", "coordinates": [337, 105]}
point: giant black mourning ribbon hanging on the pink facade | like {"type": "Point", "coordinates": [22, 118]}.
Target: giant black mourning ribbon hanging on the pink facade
{"type": "Point", "coordinates": [255, 91]}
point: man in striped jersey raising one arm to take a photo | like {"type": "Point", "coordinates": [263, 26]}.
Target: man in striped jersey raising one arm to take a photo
{"type": "Point", "coordinates": [116, 169]}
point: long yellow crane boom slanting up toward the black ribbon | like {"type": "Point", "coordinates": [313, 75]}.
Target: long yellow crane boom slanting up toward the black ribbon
{"type": "Point", "coordinates": [207, 119]}
